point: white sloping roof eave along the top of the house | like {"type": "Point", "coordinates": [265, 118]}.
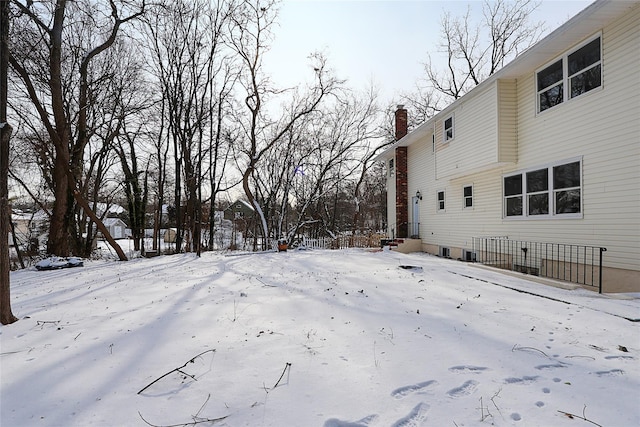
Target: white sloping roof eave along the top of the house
{"type": "Point", "coordinates": [591, 19]}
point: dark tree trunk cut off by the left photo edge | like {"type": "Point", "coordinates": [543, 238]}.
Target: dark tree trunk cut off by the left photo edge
{"type": "Point", "coordinates": [6, 315]}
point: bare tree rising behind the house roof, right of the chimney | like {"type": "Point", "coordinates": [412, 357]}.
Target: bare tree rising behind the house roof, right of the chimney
{"type": "Point", "coordinates": [474, 51]}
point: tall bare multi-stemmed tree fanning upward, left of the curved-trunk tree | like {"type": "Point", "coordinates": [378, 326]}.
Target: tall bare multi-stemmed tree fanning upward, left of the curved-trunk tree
{"type": "Point", "coordinates": [189, 63]}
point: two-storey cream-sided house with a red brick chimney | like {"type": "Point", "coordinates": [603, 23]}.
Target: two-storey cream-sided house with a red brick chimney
{"type": "Point", "coordinates": [547, 149]}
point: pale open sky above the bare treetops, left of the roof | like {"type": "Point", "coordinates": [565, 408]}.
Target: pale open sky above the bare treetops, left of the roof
{"type": "Point", "coordinates": [381, 41]}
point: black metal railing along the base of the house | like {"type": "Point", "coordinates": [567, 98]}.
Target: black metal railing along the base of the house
{"type": "Point", "coordinates": [568, 262]}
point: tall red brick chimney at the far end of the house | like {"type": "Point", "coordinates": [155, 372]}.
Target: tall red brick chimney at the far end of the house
{"type": "Point", "coordinates": [402, 187]}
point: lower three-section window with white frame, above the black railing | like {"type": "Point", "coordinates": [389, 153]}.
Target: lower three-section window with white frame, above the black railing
{"type": "Point", "coordinates": [544, 192]}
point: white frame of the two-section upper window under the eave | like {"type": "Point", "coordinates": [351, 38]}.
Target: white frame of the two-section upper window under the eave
{"type": "Point", "coordinates": [566, 78]}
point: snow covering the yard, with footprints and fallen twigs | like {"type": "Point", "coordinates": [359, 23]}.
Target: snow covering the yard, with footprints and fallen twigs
{"type": "Point", "coordinates": [314, 338]}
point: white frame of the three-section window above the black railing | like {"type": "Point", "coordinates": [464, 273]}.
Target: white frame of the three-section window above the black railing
{"type": "Point", "coordinates": [551, 192]}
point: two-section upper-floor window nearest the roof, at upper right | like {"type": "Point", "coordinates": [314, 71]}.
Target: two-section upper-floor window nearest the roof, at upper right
{"type": "Point", "coordinates": [575, 73]}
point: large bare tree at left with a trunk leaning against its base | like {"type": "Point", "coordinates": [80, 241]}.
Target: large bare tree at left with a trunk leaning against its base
{"type": "Point", "coordinates": [55, 76]}
